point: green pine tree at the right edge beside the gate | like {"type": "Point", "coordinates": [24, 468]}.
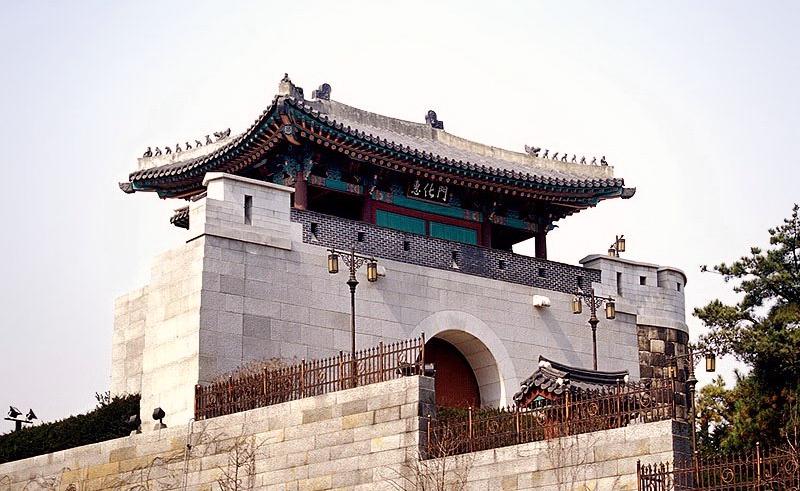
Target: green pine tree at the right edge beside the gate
{"type": "Point", "coordinates": [763, 331]}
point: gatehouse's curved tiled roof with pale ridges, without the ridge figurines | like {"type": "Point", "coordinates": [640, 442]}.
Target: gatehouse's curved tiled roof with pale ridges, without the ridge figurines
{"type": "Point", "coordinates": [420, 142]}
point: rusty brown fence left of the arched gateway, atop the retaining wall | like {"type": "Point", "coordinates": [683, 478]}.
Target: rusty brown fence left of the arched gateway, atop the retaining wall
{"type": "Point", "coordinates": [310, 378]}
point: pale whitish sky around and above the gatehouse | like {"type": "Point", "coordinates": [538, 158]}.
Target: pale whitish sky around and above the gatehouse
{"type": "Point", "coordinates": [695, 103]}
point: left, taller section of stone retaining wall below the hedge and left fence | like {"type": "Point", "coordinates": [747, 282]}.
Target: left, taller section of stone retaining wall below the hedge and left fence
{"type": "Point", "coordinates": [349, 439]}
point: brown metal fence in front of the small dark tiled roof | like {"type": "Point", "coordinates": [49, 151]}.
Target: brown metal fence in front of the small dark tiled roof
{"type": "Point", "coordinates": [455, 431]}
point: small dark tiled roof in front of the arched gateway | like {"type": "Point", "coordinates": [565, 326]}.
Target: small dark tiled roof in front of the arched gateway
{"type": "Point", "coordinates": [556, 378]}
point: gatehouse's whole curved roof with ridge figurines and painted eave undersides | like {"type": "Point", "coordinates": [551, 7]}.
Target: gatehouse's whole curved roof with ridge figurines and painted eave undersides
{"type": "Point", "coordinates": [384, 145]}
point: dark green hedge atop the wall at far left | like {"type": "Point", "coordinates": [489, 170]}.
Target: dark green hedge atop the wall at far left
{"type": "Point", "coordinates": [106, 422]}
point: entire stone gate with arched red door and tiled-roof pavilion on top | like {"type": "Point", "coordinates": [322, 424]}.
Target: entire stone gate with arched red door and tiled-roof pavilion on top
{"type": "Point", "coordinates": [257, 214]}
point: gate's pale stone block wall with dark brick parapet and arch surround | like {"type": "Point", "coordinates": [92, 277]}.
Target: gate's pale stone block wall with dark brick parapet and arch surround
{"type": "Point", "coordinates": [251, 283]}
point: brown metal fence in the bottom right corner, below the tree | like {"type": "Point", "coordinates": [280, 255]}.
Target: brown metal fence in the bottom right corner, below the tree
{"type": "Point", "coordinates": [760, 470]}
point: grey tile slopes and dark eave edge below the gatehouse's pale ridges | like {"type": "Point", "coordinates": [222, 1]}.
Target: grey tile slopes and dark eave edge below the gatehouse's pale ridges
{"type": "Point", "coordinates": [185, 178]}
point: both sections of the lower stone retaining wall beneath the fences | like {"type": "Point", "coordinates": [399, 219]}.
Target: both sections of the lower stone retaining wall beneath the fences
{"type": "Point", "coordinates": [367, 438]}
